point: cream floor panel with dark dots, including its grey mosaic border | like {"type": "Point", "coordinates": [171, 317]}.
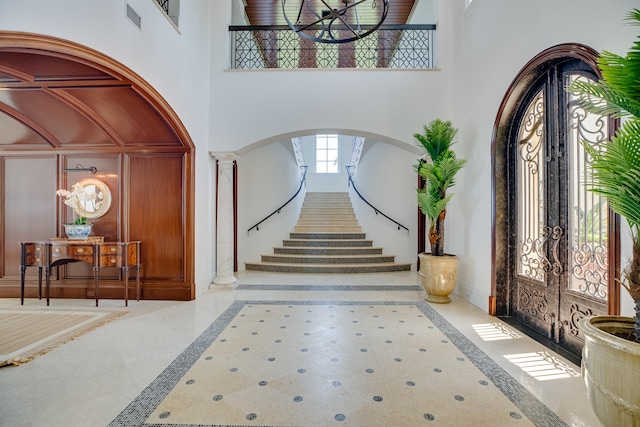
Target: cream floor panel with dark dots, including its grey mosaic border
{"type": "Point", "coordinates": [344, 363]}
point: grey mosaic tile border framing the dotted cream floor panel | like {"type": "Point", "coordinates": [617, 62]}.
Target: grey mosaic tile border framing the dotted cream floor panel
{"type": "Point", "coordinates": [139, 410]}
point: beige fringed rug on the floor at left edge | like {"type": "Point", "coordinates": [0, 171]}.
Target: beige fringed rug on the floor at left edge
{"type": "Point", "coordinates": [28, 333]}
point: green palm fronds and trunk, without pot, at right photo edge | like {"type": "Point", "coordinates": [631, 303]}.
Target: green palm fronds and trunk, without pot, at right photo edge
{"type": "Point", "coordinates": [616, 167]}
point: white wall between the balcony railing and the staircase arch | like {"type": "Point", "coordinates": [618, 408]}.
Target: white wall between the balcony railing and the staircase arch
{"type": "Point", "coordinates": [253, 105]}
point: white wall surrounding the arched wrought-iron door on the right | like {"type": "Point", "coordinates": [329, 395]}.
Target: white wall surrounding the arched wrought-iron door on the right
{"type": "Point", "coordinates": [491, 45]}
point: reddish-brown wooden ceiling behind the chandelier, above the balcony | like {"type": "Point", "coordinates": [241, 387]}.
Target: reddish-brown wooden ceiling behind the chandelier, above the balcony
{"type": "Point", "coordinates": [269, 12]}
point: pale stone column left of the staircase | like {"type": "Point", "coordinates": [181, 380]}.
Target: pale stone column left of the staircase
{"type": "Point", "coordinates": [224, 223]}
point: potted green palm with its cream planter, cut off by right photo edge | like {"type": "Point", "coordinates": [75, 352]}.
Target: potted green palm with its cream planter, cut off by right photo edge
{"type": "Point", "coordinates": [611, 355]}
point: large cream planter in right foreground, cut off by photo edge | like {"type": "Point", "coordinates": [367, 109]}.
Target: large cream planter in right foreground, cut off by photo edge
{"type": "Point", "coordinates": [611, 370]}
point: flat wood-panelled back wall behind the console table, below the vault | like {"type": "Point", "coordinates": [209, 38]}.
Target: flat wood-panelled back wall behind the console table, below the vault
{"type": "Point", "coordinates": [149, 203]}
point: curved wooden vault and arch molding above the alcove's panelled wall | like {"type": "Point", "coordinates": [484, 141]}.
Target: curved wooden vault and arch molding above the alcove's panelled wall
{"type": "Point", "coordinates": [65, 95]}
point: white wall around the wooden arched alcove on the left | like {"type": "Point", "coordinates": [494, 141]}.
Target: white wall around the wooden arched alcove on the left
{"type": "Point", "coordinates": [175, 63]}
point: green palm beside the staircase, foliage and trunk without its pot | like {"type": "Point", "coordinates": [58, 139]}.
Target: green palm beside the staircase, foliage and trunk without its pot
{"type": "Point", "coordinates": [439, 174]}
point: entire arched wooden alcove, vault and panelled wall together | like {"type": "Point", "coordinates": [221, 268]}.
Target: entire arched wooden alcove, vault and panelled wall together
{"type": "Point", "coordinates": [62, 104]}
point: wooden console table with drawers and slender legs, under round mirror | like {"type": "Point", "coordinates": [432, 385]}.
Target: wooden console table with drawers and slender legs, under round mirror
{"type": "Point", "coordinates": [98, 254]}
